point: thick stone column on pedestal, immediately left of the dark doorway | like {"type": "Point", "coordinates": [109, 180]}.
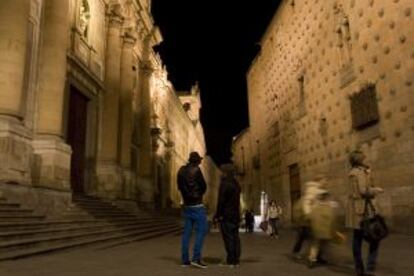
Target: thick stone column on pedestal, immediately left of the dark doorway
{"type": "Point", "coordinates": [52, 154]}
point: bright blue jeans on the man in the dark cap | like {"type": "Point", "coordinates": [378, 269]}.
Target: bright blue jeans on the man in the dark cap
{"type": "Point", "coordinates": [194, 217]}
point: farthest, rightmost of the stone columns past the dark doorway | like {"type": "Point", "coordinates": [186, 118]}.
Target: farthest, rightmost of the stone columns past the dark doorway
{"type": "Point", "coordinates": [145, 150]}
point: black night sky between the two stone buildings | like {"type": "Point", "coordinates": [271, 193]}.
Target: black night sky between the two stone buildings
{"type": "Point", "coordinates": [214, 42]}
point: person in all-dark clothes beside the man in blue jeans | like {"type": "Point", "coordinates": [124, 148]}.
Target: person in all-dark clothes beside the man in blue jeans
{"type": "Point", "coordinates": [228, 213]}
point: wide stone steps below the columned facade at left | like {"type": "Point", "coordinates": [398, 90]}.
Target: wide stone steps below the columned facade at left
{"type": "Point", "coordinates": [88, 222]}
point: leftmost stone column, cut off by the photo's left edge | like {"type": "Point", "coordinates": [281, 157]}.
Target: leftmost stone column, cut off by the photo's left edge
{"type": "Point", "coordinates": [15, 148]}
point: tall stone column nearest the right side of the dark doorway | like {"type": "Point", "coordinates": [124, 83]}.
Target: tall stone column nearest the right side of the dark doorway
{"type": "Point", "coordinates": [108, 170]}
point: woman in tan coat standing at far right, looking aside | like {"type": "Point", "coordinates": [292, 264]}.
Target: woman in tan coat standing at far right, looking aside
{"type": "Point", "coordinates": [361, 192]}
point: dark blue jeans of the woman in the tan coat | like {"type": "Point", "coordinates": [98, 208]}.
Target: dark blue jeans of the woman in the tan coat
{"type": "Point", "coordinates": [358, 238]}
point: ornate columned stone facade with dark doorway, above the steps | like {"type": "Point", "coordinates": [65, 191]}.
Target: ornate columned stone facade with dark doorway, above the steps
{"type": "Point", "coordinates": [86, 107]}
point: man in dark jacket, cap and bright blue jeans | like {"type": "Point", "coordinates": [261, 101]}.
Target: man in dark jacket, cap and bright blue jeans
{"type": "Point", "coordinates": [192, 186]}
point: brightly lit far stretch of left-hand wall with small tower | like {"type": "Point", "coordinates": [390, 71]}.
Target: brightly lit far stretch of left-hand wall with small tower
{"type": "Point", "coordinates": [179, 133]}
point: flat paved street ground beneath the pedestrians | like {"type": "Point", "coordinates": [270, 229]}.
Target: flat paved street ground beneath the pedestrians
{"type": "Point", "coordinates": [160, 257]}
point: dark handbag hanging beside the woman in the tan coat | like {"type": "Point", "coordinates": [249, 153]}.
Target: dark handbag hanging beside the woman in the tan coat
{"type": "Point", "coordinates": [373, 227]}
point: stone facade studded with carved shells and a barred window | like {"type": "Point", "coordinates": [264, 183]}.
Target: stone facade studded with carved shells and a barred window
{"type": "Point", "coordinates": [331, 77]}
